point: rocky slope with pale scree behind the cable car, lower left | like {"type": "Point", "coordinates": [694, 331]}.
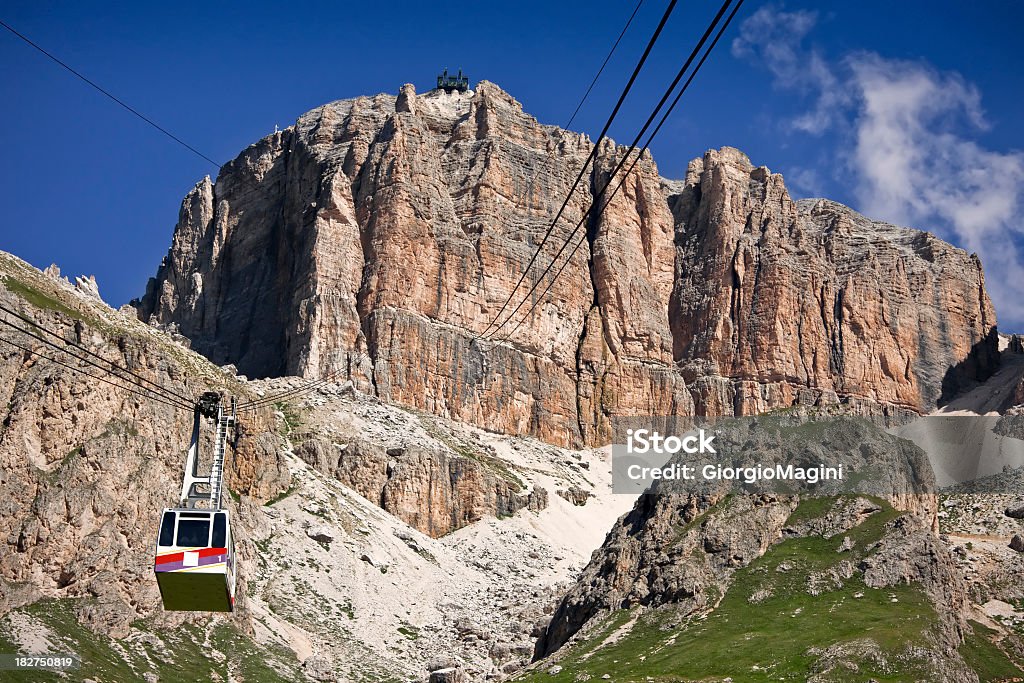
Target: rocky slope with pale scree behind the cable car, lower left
{"type": "Point", "coordinates": [331, 584]}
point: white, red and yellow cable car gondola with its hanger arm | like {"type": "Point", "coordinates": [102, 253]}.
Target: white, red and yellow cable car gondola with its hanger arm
{"type": "Point", "coordinates": [195, 559]}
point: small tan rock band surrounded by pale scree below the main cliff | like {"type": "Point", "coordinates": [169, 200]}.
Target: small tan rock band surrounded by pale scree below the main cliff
{"type": "Point", "coordinates": [432, 491]}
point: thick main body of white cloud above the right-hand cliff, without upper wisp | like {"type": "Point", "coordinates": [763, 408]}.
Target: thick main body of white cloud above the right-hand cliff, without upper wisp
{"type": "Point", "coordinates": [916, 168]}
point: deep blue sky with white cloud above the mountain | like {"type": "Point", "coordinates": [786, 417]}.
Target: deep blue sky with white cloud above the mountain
{"type": "Point", "coordinates": [908, 111]}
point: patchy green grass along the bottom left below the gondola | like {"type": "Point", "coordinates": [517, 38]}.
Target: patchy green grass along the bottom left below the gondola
{"type": "Point", "coordinates": [179, 656]}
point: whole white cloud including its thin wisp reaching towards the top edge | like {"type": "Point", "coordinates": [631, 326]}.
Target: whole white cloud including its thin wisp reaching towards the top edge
{"type": "Point", "coordinates": [908, 129]}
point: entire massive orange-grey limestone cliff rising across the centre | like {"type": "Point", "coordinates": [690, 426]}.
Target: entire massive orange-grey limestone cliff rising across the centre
{"type": "Point", "coordinates": [377, 236]}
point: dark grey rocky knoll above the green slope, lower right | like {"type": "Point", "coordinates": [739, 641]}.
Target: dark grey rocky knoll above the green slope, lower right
{"type": "Point", "coordinates": [682, 542]}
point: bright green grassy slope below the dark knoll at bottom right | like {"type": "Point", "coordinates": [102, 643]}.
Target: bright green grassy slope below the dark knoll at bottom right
{"type": "Point", "coordinates": [771, 641]}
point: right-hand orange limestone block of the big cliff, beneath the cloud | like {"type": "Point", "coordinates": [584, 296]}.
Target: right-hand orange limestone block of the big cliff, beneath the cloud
{"type": "Point", "coordinates": [812, 294]}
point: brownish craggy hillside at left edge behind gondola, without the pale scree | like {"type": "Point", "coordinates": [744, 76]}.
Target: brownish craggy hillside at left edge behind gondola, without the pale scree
{"type": "Point", "coordinates": [86, 467]}
